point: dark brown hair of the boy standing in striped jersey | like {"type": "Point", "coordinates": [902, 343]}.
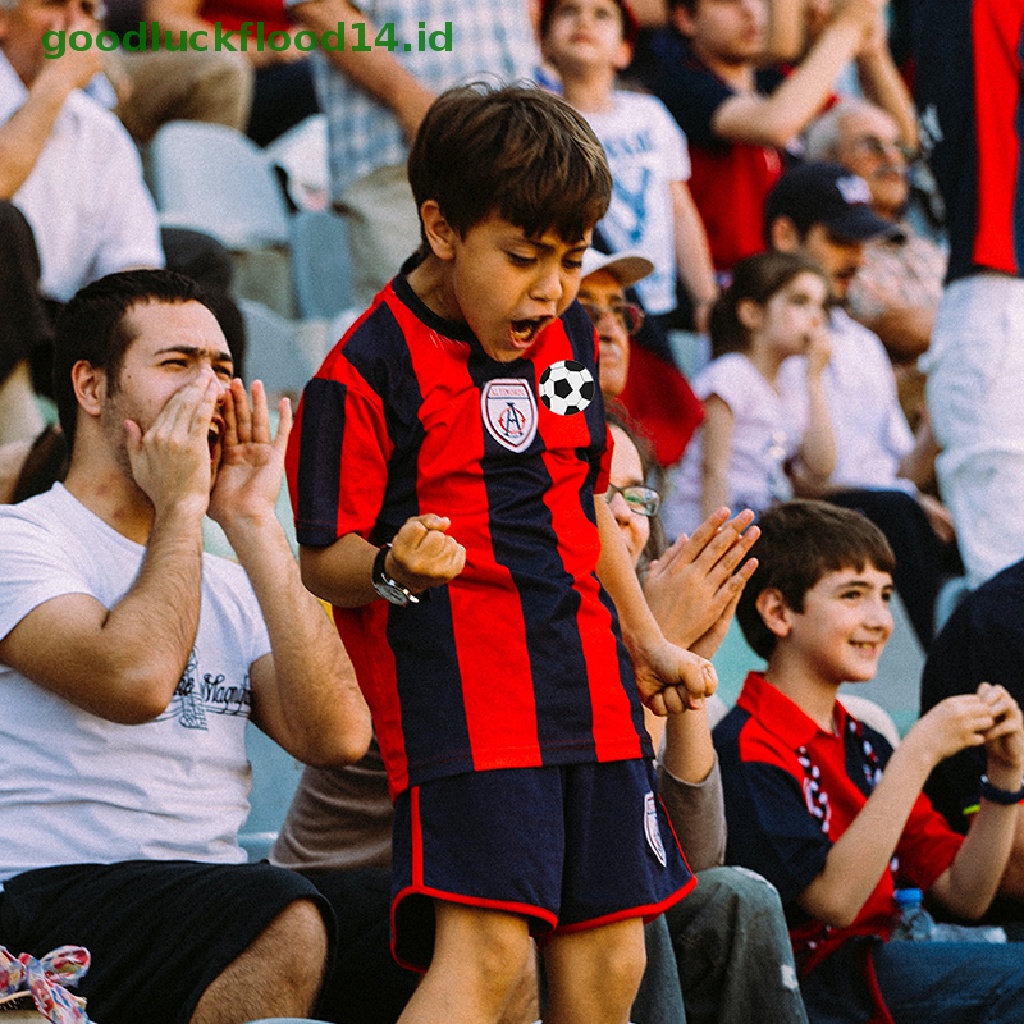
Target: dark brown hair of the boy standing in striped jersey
{"type": "Point", "coordinates": [518, 152]}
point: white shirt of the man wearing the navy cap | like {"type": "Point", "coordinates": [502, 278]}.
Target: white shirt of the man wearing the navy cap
{"type": "Point", "coordinates": [871, 431]}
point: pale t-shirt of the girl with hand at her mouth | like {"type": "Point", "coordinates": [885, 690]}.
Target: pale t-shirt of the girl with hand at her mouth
{"type": "Point", "coordinates": [767, 431]}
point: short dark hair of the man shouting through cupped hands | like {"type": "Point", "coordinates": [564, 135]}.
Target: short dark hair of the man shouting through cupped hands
{"type": "Point", "coordinates": [94, 327]}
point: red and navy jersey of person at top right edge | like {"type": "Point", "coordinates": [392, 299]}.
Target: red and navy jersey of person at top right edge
{"type": "Point", "coordinates": [968, 88]}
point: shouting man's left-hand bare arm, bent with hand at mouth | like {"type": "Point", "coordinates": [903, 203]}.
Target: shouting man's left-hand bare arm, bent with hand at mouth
{"type": "Point", "coordinates": [124, 663]}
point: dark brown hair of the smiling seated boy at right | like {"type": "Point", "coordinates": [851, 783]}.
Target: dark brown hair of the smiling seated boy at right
{"type": "Point", "coordinates": [800, 542]}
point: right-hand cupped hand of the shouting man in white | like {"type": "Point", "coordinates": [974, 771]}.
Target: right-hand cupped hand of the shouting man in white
{"type": "Point", "coordinates": [252, 464]}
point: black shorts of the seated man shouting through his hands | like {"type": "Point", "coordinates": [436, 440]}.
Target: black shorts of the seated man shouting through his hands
{"type": "Point", "coordinates": [159, 932]}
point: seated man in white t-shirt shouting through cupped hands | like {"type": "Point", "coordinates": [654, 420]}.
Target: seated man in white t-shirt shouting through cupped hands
{"type": "Point", "coordinates": [131, 664]}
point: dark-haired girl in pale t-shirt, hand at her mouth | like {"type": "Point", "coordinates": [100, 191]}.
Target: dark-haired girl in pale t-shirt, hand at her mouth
{"type": "Point", "coordinates": [775, 309]}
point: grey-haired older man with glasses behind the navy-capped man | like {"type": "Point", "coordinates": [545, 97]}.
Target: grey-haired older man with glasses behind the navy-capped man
{"type": "Point", "coordinates": [898, 290]}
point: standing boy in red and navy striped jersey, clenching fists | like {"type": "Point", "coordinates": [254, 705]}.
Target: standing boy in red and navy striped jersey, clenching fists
{"type": "Point", "coordinates": [444, 481]}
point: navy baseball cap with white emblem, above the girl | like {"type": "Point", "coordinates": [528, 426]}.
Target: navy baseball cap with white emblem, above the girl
{"type": "Point", "coordinates": [827, 194]}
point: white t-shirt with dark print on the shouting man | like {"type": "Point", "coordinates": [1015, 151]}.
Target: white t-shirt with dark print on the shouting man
{"type": "Point", "coordinates": [77, 789]}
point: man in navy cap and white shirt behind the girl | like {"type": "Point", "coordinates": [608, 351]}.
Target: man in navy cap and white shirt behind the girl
{"type": "Point", "coordinates": [826, 212]}
